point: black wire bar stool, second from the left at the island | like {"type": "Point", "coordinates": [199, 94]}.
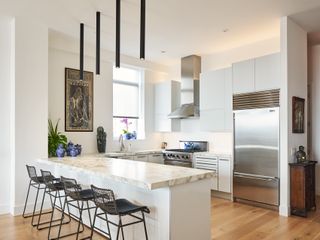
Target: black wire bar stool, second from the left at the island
{"type": "Point", "coordinates": [54, 187]}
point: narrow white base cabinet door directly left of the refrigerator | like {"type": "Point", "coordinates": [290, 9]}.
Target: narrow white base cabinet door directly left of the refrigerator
{"type": "Point", "coordinates": [224, 183]}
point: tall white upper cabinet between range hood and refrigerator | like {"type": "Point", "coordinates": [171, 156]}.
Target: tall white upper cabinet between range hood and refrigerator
{"type": "Point", "coordinates": [216, 100]}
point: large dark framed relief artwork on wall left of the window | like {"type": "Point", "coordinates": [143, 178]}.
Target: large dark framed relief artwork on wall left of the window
{"type": "Point", "coordinates": [78, 101]}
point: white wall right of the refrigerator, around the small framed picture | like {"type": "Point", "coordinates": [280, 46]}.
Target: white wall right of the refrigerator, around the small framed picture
{"type": "Point", "coordinates": [293, 83]}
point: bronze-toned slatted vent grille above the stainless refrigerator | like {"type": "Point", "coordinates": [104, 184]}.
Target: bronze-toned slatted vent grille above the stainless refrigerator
{"type": "Point", "coordinates": [263, 99]}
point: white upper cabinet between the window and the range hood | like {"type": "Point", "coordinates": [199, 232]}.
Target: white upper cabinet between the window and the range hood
{"type": "Point", "coordinates": [167, 99]}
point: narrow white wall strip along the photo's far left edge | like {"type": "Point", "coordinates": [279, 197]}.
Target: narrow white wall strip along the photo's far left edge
{"type": "Point", "coordinates": [6, 27]}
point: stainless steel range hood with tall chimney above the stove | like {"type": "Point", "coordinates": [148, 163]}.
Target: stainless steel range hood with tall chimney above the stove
{"type": "Point", "coordinates": [190, 75]}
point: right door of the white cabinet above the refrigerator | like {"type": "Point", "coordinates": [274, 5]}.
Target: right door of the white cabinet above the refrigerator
{"type": "Point", "coordinates": [267, 72]}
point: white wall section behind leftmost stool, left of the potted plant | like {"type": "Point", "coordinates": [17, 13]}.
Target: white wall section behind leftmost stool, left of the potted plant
{"type": "Point", "coordinates": [31, 102]}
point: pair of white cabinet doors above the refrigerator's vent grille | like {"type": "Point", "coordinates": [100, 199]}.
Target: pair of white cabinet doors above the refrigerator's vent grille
{"type": "Point", "coordinates": [257, 74]}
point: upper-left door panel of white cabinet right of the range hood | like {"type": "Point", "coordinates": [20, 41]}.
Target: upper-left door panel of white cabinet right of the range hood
{"type": "Point", "coordinates": [212, 90]}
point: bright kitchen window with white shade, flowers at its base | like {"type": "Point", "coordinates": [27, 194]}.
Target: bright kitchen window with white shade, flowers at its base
{"type": "Point", "coordinates": [128, 105]}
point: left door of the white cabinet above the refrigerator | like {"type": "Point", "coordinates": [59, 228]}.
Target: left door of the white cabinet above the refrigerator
{"type": "Point", "coordinates": [243, 76]}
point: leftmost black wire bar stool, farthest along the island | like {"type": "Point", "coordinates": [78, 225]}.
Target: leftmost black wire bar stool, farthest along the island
{"type": "Point", "coordinates": [36, 182]}
